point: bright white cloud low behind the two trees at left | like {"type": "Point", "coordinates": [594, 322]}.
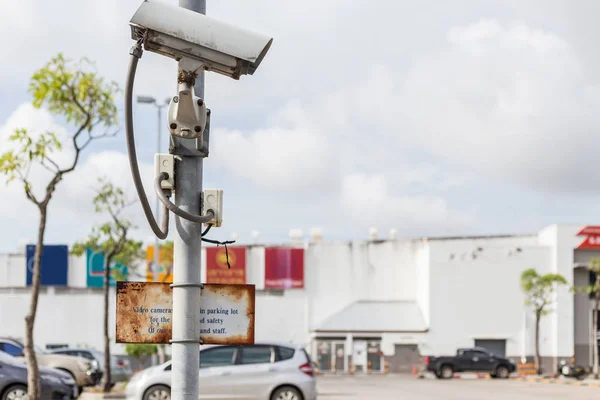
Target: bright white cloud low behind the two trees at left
{"type": "Point", "coordinates": [71, 212]}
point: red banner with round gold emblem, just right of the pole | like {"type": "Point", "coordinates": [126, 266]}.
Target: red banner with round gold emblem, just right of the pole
{"type": "Point", "coordinates": [217, 270]}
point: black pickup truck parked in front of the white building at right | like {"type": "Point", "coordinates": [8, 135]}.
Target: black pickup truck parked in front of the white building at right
{"type": "Point", "coordinates": [475, 359]}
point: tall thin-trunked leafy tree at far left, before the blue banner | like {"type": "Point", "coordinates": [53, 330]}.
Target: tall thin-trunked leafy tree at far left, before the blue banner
{"type": "Point", "coordinates": [75, 92]}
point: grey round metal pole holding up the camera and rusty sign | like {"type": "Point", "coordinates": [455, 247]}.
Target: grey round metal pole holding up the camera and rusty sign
{"type": "Point", "coordinates": [186, 263]}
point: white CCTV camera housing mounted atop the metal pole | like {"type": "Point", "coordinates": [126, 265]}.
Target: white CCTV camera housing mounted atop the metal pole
{"type": "Point", "coordinates": [183, 34]}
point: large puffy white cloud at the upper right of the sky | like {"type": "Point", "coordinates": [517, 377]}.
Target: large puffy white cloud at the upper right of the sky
{"type": "Point", "coordinates": [508, 101]}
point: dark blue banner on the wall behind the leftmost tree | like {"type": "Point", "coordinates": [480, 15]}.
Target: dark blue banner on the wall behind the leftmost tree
{"type": "Point", "coordinates": [54, 268]}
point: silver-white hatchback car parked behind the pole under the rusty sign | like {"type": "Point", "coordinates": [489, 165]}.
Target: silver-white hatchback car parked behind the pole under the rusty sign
{"type": "Point", "coordinates": [263, 371]}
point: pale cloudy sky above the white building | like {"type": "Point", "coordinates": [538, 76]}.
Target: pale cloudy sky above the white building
{"type": "Point", "coordinates": [429, 118]}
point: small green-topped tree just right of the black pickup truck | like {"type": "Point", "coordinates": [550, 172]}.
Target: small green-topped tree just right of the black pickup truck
{"type": "Point", "coordinates": [539, 290]}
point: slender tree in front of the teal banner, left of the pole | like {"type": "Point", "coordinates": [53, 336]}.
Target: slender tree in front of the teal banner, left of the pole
{"type": "Point", "coordinates": [111, 239]}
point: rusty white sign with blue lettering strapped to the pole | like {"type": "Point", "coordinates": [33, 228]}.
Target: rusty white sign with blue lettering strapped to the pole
{"type": "Point", "coordinates": [145, 313]}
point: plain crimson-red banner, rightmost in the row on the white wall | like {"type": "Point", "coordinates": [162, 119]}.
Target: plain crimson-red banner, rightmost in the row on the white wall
{"type": "Point", "coordinates": [284, 268]}
